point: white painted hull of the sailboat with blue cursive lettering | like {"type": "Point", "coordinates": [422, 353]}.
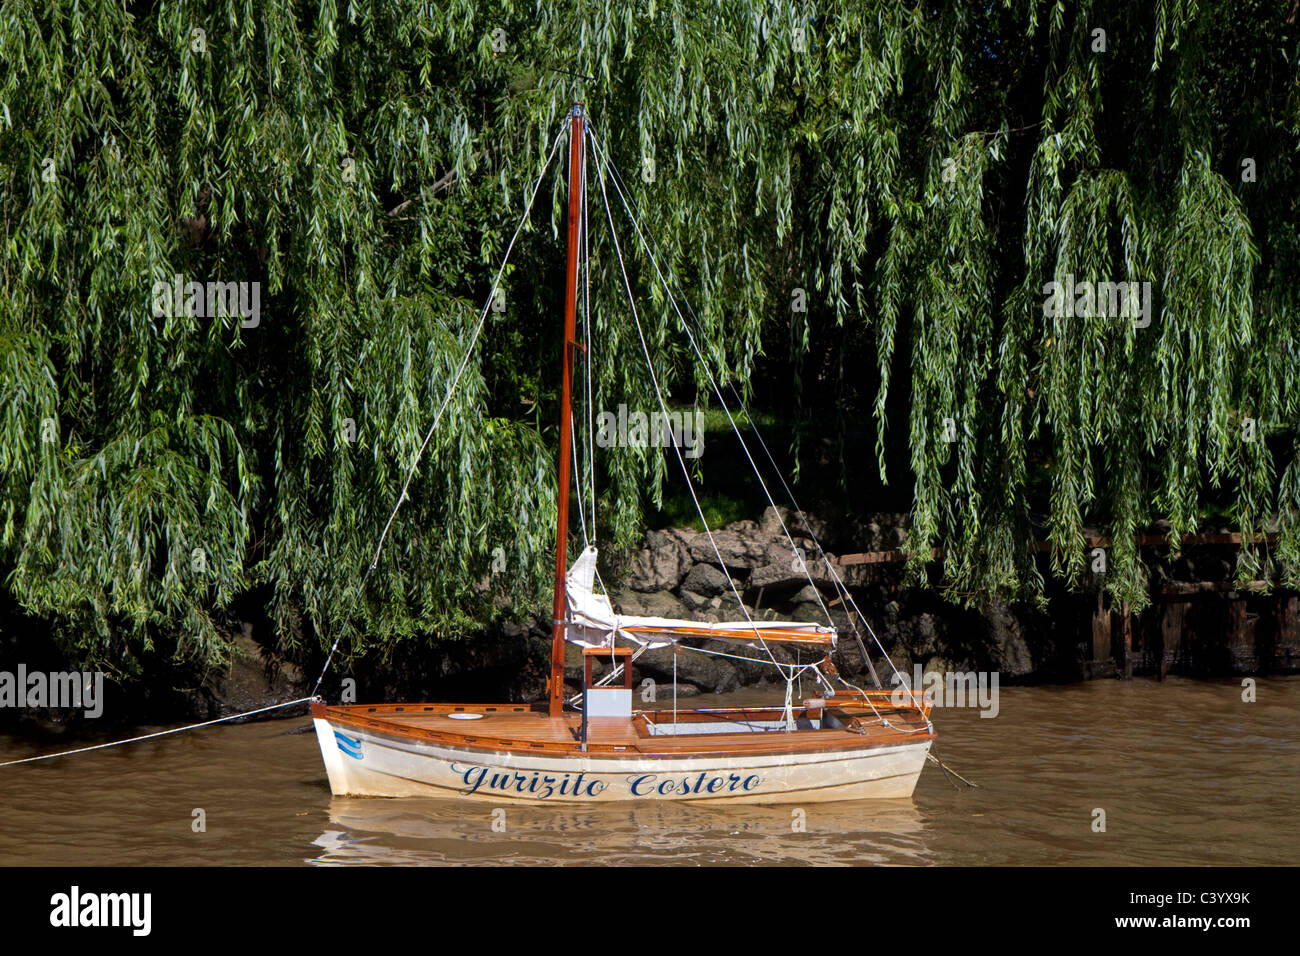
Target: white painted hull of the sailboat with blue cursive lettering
{"type": "Point", "coordinates": [361, 763]}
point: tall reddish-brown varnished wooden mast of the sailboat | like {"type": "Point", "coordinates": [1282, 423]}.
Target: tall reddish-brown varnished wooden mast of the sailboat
{"type": "Point", "coordinates": [557, 680]}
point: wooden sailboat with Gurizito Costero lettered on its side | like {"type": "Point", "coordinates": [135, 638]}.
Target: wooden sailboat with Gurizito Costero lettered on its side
{"type": "Point", "coordinates": [846, 743]}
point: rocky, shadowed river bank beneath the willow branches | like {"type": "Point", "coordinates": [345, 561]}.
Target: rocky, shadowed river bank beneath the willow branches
{"type": "Point", "coordinates": [1199, 625]}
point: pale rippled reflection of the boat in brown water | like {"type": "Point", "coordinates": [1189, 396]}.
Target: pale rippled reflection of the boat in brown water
{"type": "Point", "coordinates": [421, 830]}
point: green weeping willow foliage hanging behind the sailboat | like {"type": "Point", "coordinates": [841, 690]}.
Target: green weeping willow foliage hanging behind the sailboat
{"type": "Point", "coordinates": [916, 178]}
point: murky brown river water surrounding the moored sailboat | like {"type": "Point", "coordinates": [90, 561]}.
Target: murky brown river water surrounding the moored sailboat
{"type": "Point", "coordinates": [1186, 772]}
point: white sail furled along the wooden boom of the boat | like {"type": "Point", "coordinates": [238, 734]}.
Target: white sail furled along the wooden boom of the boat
{"type": "Point", "coordinates": [592, 622]}
